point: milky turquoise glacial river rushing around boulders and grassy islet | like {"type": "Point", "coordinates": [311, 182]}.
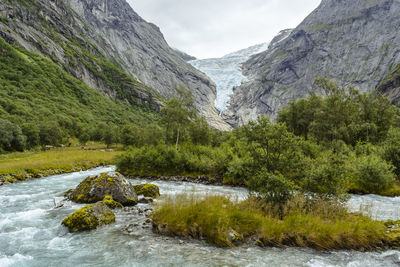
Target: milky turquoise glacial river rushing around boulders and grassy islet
{"type": "Point", "coordinates": [31, 233]}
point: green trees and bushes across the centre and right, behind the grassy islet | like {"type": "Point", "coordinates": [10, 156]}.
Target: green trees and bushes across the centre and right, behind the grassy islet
{"type": "Point", "coordinates": [344, 142]}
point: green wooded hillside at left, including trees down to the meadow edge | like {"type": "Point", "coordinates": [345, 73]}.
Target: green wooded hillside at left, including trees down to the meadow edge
{"type": "Point", "coordinates": [41, 104]}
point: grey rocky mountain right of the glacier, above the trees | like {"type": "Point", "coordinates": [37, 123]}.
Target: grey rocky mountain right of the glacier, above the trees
{"type": "Point", "coordinates": [352, 41]}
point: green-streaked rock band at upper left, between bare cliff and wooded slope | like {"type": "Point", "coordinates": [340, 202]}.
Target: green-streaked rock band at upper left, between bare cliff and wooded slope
{"type": "Point", "coordinates": [54, 30]}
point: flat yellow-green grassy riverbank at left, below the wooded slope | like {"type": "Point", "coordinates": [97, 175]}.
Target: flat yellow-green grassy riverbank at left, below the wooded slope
{"type": "Point", "coordinates": [17, 167]}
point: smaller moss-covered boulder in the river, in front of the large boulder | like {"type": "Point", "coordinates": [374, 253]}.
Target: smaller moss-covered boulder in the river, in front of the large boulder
{"type": "Point", "coordinates": [89, 217]}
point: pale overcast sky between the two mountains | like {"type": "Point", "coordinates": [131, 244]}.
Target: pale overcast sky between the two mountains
{"type": "Point", "coordinates": [213, 28]}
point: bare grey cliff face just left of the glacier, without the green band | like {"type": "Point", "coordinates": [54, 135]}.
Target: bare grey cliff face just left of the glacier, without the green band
{"type": "Point", "coordinates": [144, 53]}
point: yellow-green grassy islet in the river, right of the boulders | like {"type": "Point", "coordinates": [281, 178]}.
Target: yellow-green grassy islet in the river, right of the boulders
{"type": "Point", "coordinates": [302, 223]}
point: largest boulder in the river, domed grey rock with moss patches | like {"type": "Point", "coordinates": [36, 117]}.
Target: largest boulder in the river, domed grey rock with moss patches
{"type": "Point", "coordinates": [95, 188]}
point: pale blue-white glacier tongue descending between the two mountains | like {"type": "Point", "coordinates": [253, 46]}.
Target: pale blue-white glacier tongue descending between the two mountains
{"type": "Point", "coordinates": [226, 71]}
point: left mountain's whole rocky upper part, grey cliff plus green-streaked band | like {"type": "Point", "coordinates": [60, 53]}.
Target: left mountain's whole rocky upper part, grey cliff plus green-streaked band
{"type": "Point", "coordinates": [109, 47]}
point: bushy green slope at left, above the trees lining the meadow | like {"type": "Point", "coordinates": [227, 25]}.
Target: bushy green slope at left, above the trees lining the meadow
{"type": "Point", "coordinates": [35, 90]}
